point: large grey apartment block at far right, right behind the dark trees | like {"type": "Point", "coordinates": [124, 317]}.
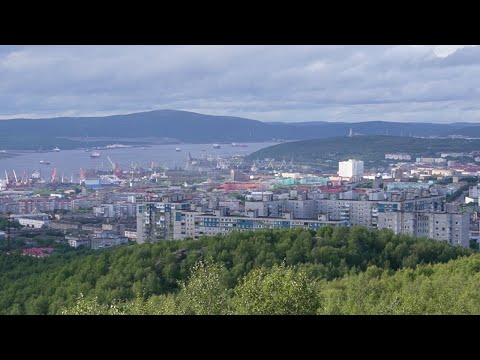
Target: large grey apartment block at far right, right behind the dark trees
{"type": "Point", "coordinates": [450, 227]}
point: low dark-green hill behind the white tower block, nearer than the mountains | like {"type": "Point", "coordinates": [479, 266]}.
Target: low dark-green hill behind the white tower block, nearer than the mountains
{"type": "Point", "coordinates": [363, 147]}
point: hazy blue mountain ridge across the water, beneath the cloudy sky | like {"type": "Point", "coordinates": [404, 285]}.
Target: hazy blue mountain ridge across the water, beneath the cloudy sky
{"type": "Point", "coordinates": [189, 127]}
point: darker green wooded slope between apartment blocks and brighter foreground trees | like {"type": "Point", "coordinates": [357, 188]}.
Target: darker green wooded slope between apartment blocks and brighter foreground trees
{"type": "Point", "coordinates": [49, 285]}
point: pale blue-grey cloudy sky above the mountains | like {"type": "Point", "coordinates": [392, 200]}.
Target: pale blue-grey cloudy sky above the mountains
{"type": "Point", "coordinates": [408, 83]}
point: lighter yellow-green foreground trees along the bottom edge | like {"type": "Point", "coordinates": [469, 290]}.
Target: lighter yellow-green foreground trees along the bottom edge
{"type": "Point", "coordinates": [450, 288]}
